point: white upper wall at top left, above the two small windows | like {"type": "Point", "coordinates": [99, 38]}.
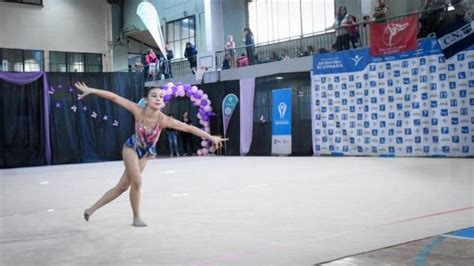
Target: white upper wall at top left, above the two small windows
{"type": "Point", "coordinates": [60, 25]}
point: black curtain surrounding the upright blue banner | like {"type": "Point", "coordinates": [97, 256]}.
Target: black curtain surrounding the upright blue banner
{"type": "Point", "coordinates": [300, 83]}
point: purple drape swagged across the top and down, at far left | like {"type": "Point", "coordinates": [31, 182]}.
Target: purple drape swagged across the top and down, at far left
{"type": "Point", "coordinates": [23, 78]}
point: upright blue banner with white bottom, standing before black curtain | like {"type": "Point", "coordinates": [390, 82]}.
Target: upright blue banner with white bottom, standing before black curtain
{"type": "Point", "coordinates": [281, 121]}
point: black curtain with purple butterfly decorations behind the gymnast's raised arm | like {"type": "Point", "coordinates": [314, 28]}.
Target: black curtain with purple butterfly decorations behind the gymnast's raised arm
{"type": "Point", "coordinates": [88, 134]}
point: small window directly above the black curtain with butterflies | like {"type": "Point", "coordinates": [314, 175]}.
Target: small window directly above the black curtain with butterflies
{"type": "Point", "coordinates": [75, 62]}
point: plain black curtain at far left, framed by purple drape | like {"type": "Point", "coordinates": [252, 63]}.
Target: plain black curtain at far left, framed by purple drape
{"type": "Point", "coordinates": [21, 126]}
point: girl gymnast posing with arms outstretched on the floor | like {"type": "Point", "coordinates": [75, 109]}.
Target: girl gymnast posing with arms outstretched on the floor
{"type": "Point", "coordinates": [140, 147]}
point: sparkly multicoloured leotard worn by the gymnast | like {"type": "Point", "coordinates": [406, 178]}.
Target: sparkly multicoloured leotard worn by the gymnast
{"type": "Point", "coordinates": [144, 141]}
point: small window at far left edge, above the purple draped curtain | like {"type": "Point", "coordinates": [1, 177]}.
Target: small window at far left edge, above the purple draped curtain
{"type": "Point", "coordinates": [21, 60]}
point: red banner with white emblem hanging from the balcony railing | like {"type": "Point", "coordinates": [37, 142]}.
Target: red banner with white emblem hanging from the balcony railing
{"type": "Point", "coordinates": [394, 37]}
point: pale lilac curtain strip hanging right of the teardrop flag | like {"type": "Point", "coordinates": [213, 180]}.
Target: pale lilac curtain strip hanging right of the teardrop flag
{"type": "Point", "coordinates": [247, 91]}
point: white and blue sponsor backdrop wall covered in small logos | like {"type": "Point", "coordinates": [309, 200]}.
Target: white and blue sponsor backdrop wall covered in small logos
{"type": "Point", "coordinates": [409, 104]}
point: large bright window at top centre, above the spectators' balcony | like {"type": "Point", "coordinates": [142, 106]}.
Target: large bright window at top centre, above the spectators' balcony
{"type": "Point", "coordinates": [273, 20]}
